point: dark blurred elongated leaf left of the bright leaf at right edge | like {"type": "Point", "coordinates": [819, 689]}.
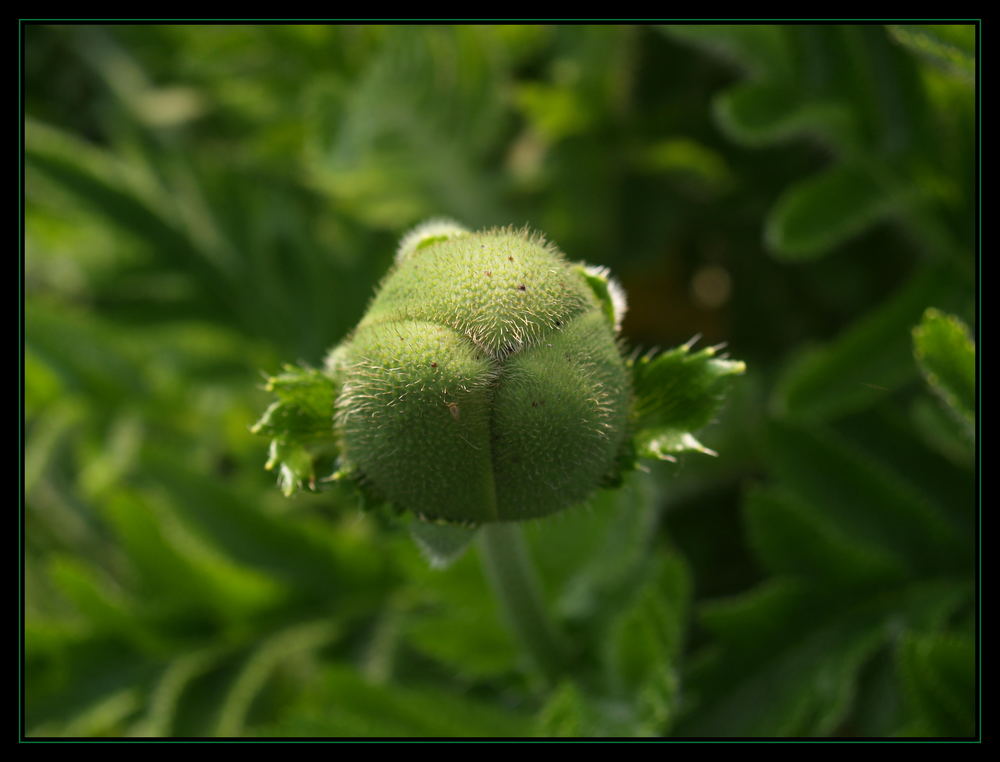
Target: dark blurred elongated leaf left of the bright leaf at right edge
{"type": "Point", "coordinates": [870, 358]}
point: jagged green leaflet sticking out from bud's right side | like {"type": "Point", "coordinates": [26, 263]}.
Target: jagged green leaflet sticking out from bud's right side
{"type": "Point", "coordinates": [676, 393]}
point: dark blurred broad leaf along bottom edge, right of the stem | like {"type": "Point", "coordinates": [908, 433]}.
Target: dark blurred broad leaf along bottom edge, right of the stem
{"type": "Point", "coordinates": [788, 657]}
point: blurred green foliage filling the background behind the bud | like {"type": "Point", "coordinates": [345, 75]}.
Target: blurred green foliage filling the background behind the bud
{"type": "Point", "coordinates": [204, 203]}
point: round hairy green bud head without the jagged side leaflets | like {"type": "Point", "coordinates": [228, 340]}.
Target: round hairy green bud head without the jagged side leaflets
{"type": "Point", "coordinates": [485, 382]}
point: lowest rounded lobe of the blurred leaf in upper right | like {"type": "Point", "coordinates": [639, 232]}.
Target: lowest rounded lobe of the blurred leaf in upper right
{"type": "Point", "coordinates": [827, 209]}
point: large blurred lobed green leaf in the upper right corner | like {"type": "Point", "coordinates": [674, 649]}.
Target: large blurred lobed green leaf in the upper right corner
{"type": "Point", "coordinates": [855, 91]}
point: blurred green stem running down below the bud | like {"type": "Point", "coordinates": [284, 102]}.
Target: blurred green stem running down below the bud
{"type": "Point", "coordinates": [516, 585]}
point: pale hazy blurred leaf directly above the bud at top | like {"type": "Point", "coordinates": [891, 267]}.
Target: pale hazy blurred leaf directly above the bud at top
{"type": "Point", "coordinates": [407, 141]}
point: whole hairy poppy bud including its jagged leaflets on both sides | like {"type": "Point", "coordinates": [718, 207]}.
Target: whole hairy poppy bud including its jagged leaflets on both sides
{"type": "Point", "coordinates": [487, 383]}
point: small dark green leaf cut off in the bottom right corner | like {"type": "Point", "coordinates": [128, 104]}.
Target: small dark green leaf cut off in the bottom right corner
{"type": "Point", "coordinates": [938, 677]}
